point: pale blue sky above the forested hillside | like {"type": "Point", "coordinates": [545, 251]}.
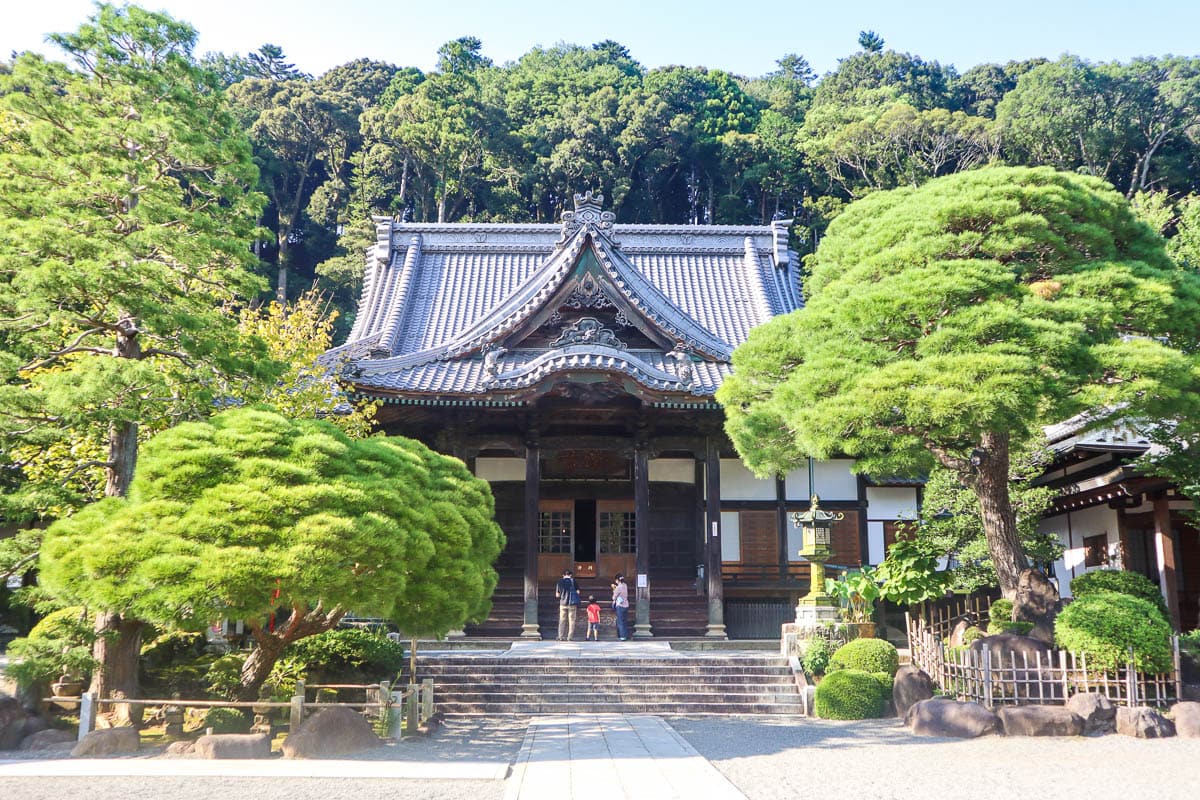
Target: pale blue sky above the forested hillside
{"type": "Point", "coordinates": [742, 38]}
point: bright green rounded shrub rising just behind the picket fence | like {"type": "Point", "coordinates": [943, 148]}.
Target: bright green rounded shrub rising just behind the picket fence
{"type": "Point", "coordinates": [1106, 625]}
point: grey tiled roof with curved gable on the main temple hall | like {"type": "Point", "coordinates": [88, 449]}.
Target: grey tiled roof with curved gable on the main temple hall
{"type": "Point", "coordinates": [437, 298]}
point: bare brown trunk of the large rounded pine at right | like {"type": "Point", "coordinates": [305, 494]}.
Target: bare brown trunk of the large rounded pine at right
{"type": "Point", "coordinates": [997, 512]}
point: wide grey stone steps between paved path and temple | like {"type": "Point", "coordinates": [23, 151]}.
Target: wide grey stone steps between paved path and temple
{"type": "Point", "coordinates": [617, 679]}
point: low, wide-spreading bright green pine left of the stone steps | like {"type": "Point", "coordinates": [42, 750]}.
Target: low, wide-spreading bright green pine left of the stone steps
{"type": "Point", "coordinates": [250, 512]}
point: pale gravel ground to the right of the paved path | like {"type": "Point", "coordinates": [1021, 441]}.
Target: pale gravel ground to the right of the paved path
{"type": "Point", "coordinates": [772, 760]}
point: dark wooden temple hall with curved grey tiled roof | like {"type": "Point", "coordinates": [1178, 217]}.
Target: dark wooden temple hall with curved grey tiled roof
{"type": "Point", "coordinates": [573, 366]}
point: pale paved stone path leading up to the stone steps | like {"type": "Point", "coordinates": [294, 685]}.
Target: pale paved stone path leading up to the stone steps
{"type": "Point", "coordinates": [613, 756]}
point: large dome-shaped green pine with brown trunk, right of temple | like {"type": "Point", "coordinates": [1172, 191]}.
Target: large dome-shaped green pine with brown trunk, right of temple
{"type": "Point", "coordinates": [946, 323]}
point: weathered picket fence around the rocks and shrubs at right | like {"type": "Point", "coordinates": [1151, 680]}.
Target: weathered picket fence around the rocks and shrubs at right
{"type": "Point", "coordinates": [1048, 678]}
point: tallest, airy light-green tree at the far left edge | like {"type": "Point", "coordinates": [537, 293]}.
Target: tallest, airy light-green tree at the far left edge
{"type": "Point", "coordinates": [124, 231]}
